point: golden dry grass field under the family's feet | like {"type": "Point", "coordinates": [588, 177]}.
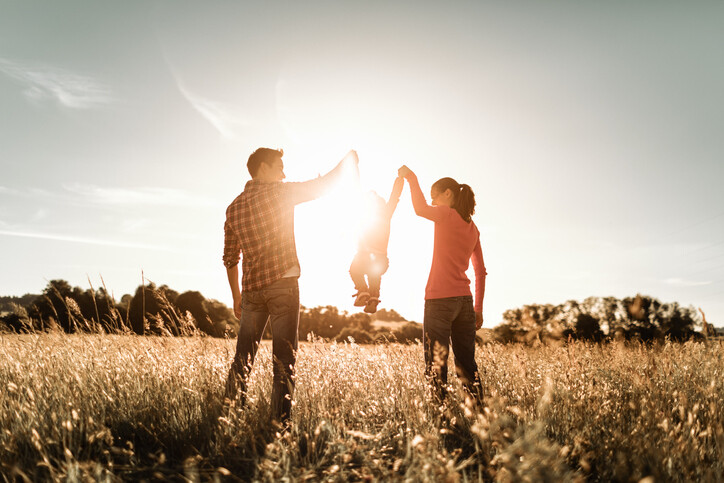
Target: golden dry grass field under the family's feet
{"type": "Point", "coordinates": [122, 407]}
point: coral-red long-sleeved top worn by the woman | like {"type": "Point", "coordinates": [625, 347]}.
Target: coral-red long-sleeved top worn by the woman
{"type": "Point", "coordinates": [456, 243]}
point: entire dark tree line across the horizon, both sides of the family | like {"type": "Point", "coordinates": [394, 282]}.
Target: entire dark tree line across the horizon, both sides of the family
{"type": "Point", "coordinates": [160, 310]}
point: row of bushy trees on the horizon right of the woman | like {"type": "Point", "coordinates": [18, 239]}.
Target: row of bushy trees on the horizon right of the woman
{"type": "Point", "coordinates": [599, 318]}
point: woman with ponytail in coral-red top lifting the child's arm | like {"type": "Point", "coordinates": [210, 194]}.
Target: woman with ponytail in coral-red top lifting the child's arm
{"type": "Point", "coordinates": [449, 311]}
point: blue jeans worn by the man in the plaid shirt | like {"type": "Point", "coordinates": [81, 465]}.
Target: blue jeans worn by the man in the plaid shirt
{"type": "Point", "coordinates": [278, 303]}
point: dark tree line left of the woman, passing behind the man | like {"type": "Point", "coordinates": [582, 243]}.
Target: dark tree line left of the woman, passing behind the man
{"type": "Point", "coordinates": [160, 310]}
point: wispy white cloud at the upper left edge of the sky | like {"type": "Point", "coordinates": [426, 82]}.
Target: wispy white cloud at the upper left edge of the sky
{"type": "Point", "coordinates": [43, 83]}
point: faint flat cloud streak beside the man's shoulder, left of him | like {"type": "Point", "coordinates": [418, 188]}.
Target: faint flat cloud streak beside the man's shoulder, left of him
{"type": "Point", "coordinates": [138, 196]}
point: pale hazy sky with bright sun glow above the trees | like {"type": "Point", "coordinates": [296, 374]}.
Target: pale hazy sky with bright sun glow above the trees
{"type": "Point", "coordinates": [589, 131]}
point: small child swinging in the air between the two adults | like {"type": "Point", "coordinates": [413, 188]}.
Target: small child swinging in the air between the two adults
{"type": "Point", "coordinates": [371, 258]}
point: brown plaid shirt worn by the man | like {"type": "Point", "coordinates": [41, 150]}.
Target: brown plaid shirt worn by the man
{"type": "Point", "coordinates": [260, 224]}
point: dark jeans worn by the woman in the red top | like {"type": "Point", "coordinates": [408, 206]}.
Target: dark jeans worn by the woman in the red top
{"type": "Point", "coordinates": [451, 319]}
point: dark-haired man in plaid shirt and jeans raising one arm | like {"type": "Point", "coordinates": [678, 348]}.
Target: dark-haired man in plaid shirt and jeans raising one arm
{"type": "Point", "coordinates": [260, 225]}
